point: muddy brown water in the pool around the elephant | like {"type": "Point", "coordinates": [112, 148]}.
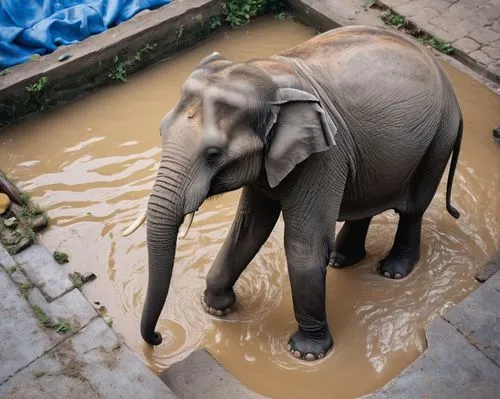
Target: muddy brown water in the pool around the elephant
{"type": "Point", "coordinates": [91, 164]}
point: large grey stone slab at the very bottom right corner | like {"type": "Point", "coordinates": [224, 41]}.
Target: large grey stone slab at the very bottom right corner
{"type": "Point", "coordinates": [451, 367]}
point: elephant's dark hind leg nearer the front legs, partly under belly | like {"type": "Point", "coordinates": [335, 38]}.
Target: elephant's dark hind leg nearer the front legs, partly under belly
{"type": "Point", "coordinates": [350, 243]}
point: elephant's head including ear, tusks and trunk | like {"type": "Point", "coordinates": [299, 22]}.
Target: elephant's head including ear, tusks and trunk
{"type": "Point", "coordinates": [232, 124]}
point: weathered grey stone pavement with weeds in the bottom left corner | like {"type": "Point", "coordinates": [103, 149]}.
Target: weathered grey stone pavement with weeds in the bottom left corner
{"type": "Point", "coordinates": [53, 342]}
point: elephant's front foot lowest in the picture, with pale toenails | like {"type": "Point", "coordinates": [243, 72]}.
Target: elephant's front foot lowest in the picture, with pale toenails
{"type": "Point", "coordinates": [310, 347]}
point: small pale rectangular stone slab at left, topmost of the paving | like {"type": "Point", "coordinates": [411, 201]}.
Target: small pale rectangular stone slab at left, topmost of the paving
{"type": "Point", "coordinates": [44, 271]}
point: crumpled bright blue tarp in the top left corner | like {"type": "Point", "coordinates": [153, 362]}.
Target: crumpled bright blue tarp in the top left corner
{"type": "Point", "coordinates": [30, 27]}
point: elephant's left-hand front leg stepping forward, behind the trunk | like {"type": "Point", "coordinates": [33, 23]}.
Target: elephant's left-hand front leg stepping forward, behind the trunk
{"type": "Point", "coordinates": [253, 223]}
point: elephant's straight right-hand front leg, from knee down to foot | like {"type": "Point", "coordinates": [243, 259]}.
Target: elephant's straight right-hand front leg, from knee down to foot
{"type": "Point", "coordinates": [307, 262]}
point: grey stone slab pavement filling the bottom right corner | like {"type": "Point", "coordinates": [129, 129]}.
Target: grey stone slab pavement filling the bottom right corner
{"type": "Point", "coordinates": [463, 355]}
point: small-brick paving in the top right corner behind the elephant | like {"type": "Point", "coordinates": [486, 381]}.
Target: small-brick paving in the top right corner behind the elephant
{"type": "Point", "coordinates": [471, 26]}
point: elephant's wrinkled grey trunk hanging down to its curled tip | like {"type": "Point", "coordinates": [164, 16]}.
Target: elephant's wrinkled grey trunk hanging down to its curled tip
{"type": "Point", "coordinates": [164, 216]}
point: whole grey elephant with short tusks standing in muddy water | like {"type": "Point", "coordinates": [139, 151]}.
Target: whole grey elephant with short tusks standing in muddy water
{"type": "Point", "coordinates": [356, 121]}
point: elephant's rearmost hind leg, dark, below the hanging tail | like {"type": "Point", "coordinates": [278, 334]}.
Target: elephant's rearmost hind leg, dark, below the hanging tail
{"type": "Point", "coordinates": [405, 252]}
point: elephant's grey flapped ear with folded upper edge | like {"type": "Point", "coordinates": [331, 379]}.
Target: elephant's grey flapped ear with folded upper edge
{"type": "Point", "coordinates": [300, 127]}
